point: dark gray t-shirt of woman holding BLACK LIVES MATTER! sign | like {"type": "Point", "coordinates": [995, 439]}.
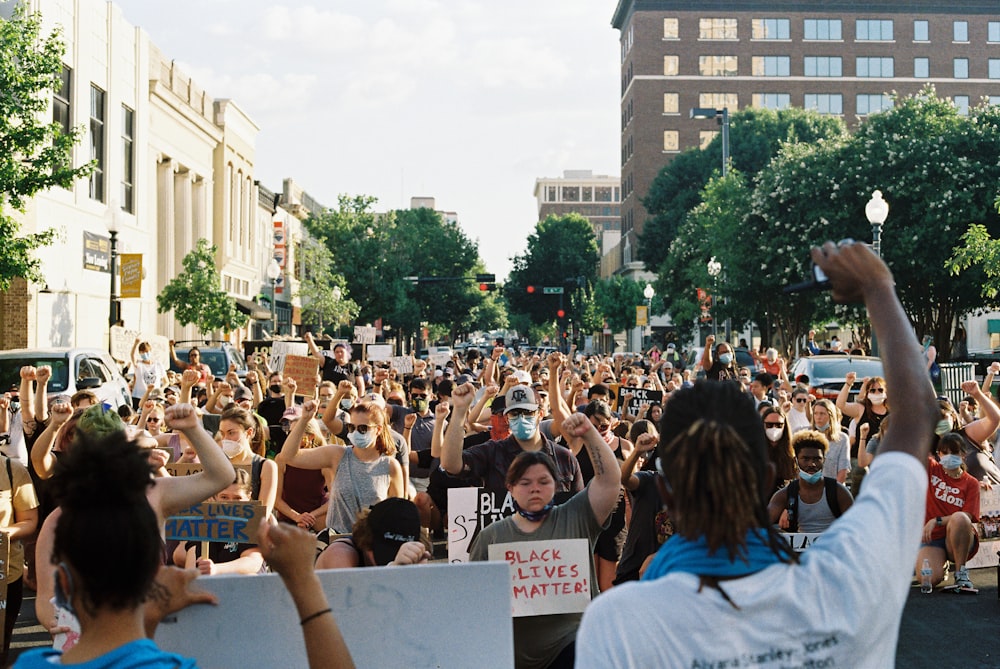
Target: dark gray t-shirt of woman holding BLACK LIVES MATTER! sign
{"type": "Point", "coordinates": [539, 639]}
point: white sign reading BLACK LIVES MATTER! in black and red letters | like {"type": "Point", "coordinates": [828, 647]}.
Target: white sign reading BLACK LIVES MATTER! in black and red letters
{"type": "Point", "coordinates": [546, 576]}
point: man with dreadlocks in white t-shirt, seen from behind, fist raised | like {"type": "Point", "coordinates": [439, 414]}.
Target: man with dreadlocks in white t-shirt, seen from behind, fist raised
{"type": "Point", "coordinates": [723, 591]}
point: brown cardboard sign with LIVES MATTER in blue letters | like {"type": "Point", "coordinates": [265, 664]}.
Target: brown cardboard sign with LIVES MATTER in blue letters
{"type": "Point", "coordinates": [217, 521]}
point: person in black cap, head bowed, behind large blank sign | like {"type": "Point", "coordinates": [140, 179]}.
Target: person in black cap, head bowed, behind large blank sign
{"type": "Point", "coordinates": [388, 533]}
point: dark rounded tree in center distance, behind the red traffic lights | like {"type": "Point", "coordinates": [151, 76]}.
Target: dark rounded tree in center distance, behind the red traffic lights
{"type": "Point", "coordinates": [561, 253]}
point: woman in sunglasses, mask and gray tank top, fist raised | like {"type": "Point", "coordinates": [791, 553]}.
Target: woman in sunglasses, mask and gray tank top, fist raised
{"type": "Point", "coordinates": [365, 472]}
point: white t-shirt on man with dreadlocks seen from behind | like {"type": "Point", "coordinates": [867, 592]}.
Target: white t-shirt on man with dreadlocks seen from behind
{"type": "Point", "coordinates": [842, 602]}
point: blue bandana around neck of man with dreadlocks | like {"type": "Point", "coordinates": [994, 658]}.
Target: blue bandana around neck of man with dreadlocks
{"type": "Point", "coordinates": [680, 554]}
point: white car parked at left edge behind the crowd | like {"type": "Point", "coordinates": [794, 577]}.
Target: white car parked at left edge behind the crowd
{"type": "Point", "coordinates": [73, 369]}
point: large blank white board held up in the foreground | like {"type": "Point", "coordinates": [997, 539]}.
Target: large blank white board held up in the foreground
{"type": "Point", "coordinates": [426, 618]}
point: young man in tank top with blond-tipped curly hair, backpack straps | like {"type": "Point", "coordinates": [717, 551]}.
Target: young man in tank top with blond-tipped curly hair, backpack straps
{"type": "Point", "coordinates": [813, 501]}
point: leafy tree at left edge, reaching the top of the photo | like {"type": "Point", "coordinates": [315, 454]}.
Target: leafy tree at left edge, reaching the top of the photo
{"type": "Point", "coordinates": [35, 156]}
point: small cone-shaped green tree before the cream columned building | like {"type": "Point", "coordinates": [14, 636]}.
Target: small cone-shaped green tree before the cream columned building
{"type": "Point", "coordinates": [196, 295]}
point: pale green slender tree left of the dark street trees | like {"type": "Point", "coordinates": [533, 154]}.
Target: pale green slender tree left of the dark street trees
{"type": "Point", "coordinates": [322, 291]}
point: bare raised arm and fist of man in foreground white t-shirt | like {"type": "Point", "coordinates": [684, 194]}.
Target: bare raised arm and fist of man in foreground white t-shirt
{"type": "Point", "coordinates": [857, 274]}
